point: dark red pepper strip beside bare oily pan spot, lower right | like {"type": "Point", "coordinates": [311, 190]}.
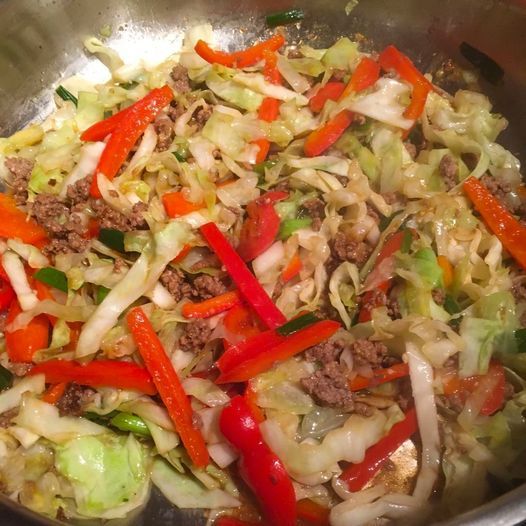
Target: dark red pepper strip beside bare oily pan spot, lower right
{"type": "Point", "coordinates": [358, 475]}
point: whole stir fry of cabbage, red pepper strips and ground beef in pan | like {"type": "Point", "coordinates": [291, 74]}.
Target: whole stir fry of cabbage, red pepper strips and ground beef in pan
{"type": "Point", "coordinates": [255, 280]}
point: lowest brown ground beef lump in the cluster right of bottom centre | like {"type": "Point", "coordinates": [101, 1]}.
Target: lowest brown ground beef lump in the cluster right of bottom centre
{"type": "Point", "coordinates": [330, 387]}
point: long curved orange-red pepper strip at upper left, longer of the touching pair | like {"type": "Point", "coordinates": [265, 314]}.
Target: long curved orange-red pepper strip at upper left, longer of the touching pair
{"type": "Point", "coordinates": [128, 132]}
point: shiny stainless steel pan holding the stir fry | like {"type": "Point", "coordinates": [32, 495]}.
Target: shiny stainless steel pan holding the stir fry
{"type": "Point", "coordinates": [41, 42]}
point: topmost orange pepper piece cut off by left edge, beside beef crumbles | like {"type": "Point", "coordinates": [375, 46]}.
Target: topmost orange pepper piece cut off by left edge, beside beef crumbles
{"type": "Point", "coordinates": [16, 224]}
